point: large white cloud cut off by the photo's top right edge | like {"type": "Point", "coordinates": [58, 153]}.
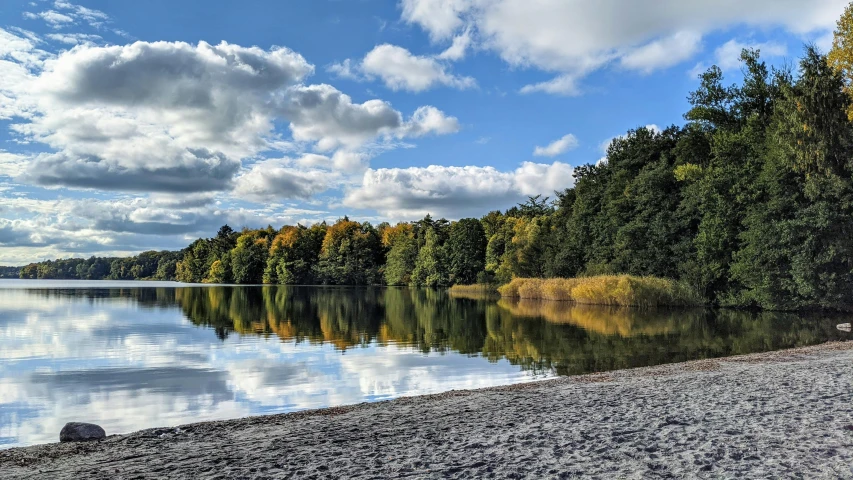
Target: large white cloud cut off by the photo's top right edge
{"type": "Point", "coordinates": [576, 38]}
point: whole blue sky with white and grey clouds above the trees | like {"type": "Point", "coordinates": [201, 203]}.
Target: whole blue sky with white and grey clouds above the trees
{"type": "Point", "coordinates": [132, 126]}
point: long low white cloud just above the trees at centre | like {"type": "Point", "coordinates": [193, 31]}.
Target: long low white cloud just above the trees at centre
{"type": "Point", "coordinates": [454, 192]}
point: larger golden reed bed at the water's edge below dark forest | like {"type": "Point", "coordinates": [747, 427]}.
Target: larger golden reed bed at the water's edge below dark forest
{"type": "Point", "coordinates": [614, 290]}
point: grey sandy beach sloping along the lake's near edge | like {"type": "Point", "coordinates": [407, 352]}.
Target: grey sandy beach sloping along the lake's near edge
{"type": "Point", "coordinates": [785, 414]}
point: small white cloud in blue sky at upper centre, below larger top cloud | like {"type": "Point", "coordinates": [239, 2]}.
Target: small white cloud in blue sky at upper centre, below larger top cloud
{"type": "Point", "coordinates": [399, 69]}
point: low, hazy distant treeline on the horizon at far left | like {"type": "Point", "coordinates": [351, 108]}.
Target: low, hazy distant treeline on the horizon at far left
{"type": "Point", "coordinates": [145, 266]}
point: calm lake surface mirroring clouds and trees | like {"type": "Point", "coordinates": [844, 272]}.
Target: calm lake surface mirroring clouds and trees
{"type": "Point", "coordinates": [132, 355]}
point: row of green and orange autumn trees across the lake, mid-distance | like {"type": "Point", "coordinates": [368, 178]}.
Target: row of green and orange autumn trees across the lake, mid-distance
{"type": "Point", "coordinates": [430, 253]}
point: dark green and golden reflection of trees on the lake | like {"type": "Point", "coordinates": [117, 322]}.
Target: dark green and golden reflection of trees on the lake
{"type": "Point", "coordinates": [539, 336]}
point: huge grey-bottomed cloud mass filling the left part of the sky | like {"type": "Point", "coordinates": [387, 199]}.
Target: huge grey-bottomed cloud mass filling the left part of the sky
{"type": "Point", "coordinates": [177, 117]}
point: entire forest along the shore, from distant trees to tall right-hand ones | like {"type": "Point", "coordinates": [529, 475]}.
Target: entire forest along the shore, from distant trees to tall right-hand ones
{"type": "Point", "coordinates": [750, 202]}
